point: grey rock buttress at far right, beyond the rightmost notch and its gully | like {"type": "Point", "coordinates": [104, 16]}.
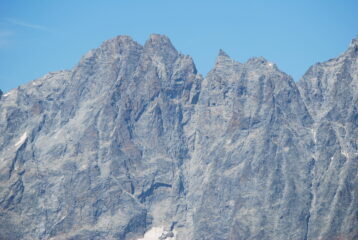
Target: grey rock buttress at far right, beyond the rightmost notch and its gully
{"type": "Point", "coordinates": [330, 91]}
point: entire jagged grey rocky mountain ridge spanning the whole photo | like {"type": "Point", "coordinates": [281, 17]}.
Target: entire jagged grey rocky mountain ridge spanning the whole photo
{"type": "Point", "coordinates": [134, 144]}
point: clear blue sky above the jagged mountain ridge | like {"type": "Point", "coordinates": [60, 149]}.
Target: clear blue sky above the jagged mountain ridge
{"type": "Point", "coordinates": [37, 37]}
